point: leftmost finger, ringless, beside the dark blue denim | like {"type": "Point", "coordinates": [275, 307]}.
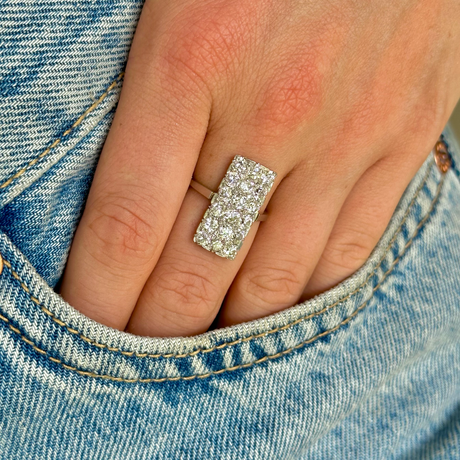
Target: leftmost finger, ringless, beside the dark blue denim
{"type": "Point", "coordinates": [140, 182]}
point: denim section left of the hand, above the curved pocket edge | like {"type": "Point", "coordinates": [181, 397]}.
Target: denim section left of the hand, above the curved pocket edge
{"type": "Point", "coordinates": [60, 77]}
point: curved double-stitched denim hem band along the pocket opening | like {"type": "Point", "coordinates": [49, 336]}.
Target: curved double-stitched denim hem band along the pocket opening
{"type": "Point", "coordinates": [59, 333]}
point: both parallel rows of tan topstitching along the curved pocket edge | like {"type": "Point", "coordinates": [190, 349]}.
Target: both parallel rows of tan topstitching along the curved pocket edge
{"type": "Point", "coordinates": [267, 357]}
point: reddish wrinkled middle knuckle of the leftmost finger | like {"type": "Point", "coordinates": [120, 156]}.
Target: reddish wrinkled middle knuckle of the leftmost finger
{"type": "Point", "coordinates": [121, 233]}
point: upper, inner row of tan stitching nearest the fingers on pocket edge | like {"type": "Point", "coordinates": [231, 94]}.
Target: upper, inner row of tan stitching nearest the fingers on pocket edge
{"type": "Point", "coordinates": [237, 341]}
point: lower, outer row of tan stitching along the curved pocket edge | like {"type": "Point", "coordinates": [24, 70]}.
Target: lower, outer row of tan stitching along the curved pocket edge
{"type": "Point", "coordinates": [246, 365]}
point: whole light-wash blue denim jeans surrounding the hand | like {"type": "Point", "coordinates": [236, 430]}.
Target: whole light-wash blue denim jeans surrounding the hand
{"type": "Point", "coordinates": [367, 370]}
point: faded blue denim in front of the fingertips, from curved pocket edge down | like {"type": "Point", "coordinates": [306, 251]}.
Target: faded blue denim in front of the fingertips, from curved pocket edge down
{"type": "Point", "coordinates": [376, 359]}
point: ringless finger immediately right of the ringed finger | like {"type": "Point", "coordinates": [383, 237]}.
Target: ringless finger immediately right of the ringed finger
{"type": "Point", "coordinates": [288, 245]}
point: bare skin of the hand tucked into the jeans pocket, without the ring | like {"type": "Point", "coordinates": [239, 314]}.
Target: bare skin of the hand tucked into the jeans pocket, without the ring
{"type": "Point", "coordinates": [344, 99]}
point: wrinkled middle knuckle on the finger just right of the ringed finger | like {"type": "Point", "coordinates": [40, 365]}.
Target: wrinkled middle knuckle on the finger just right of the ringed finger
{"type": "Point", "coordinates": [273, 286]}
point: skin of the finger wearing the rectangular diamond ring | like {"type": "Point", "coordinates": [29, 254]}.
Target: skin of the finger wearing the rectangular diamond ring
{"type": "Point", "coordinates": [187, 286]}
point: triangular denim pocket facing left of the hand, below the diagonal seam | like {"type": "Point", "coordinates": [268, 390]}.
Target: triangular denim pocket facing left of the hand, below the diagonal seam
{"type": "Point", "coordinates": [42, 202]}
